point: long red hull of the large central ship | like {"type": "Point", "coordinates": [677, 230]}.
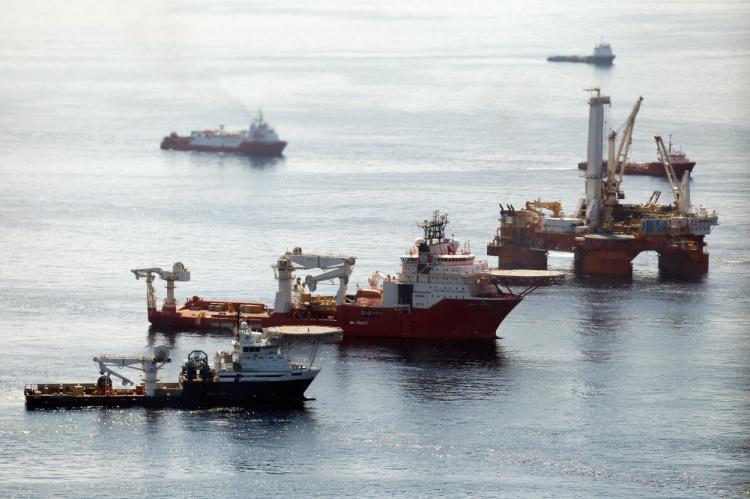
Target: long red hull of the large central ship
{"type": "Point", "coordinates": [449, 319]}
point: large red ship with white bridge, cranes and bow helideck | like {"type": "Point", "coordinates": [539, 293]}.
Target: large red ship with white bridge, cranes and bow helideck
{"type": "Point", "coordinates": [442, 291]}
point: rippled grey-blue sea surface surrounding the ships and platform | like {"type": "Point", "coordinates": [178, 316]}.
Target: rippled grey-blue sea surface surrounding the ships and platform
{"type": "Point", "coordinates": [392, 109]}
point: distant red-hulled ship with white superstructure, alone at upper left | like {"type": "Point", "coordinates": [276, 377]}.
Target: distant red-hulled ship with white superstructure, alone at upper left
{"type": "Point", "coordinates": [258, 140]}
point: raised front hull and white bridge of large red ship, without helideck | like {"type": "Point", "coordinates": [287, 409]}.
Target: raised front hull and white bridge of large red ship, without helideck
{"type": "Point", "coordinates": [442, 291]}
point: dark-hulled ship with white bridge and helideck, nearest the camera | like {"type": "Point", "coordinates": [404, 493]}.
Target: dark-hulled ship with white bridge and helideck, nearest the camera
{"type": "Point", "coordinates": [257, 371]}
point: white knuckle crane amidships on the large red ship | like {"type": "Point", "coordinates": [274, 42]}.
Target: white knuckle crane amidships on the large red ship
{"type": "Point", "coordinates": [336, 266]}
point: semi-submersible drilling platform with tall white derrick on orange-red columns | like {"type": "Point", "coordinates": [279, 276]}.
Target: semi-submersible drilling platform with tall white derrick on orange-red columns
{"type": "Point", "coordinates": [605, 234]}
